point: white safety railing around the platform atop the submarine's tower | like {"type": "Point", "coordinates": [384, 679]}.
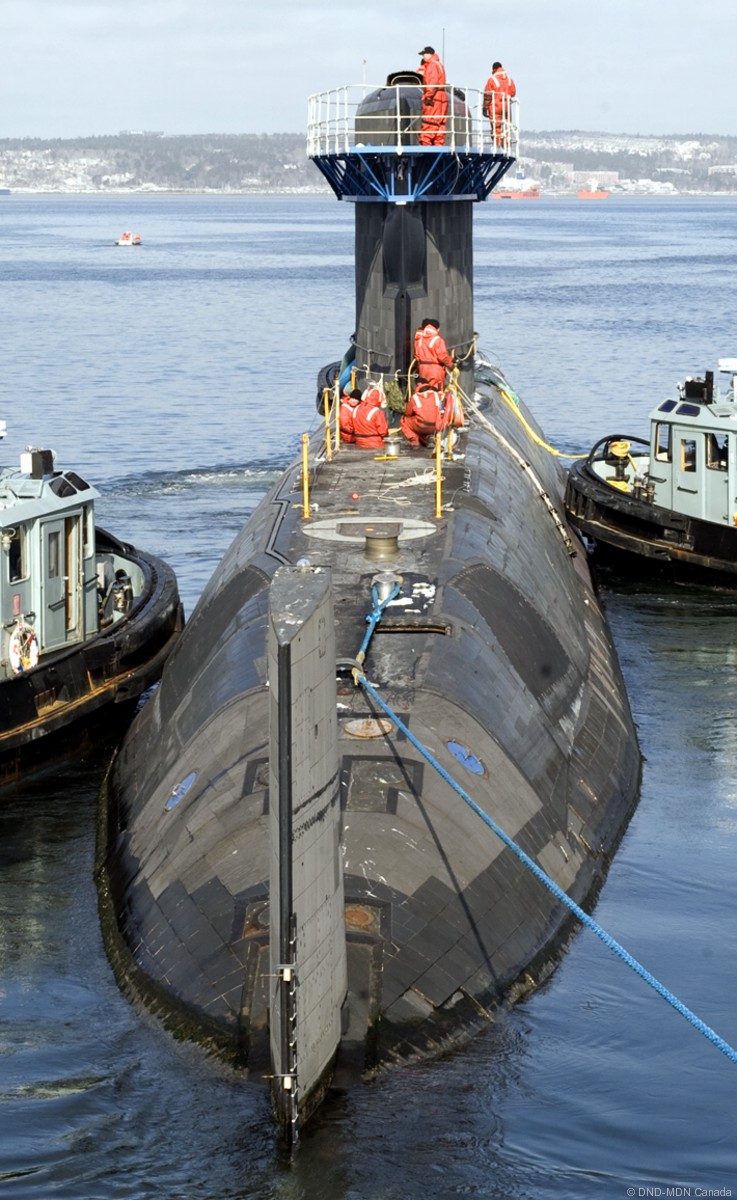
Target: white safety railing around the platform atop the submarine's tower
{"type": "Point", "coordinates": [394, 117]}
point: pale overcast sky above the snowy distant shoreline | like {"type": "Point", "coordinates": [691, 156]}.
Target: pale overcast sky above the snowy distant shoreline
{"type": "Point", "coordinates": [73, 68]}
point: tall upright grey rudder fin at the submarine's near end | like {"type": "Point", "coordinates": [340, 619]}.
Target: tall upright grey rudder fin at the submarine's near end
{"type": "Point", "coordinates": [308, 941]}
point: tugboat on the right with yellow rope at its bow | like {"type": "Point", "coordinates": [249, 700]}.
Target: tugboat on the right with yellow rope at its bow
{"type": "Point", "coordinates": [667, 507]}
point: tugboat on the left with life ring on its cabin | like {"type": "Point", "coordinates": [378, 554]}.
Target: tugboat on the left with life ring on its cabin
{"type": "Point", "coordinates": [87, 621]}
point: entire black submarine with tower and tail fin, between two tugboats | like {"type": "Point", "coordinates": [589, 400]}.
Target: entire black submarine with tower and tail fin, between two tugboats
{"type": "Point", "coordinates": [286, 872]}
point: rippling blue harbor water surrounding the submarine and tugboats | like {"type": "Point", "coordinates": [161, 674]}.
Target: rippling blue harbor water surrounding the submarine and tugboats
{"type": "Point", "coordinates": [179, 377]}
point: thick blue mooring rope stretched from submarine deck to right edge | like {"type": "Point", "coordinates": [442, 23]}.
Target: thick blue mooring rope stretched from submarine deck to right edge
{"type": "Point", "coordinates": [361, 679]}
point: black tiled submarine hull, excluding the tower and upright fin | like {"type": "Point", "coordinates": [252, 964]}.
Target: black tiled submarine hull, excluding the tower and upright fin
{"type": "Point", "coordinates": [498, 658]}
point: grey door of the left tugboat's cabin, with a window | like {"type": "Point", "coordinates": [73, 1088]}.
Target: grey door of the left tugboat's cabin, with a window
{"type": "Point", "coordinates": [61, 581]}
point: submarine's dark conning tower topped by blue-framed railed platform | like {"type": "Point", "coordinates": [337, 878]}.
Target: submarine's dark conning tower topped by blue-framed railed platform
{"type": "Point", "coordinates": [414, 218]}
